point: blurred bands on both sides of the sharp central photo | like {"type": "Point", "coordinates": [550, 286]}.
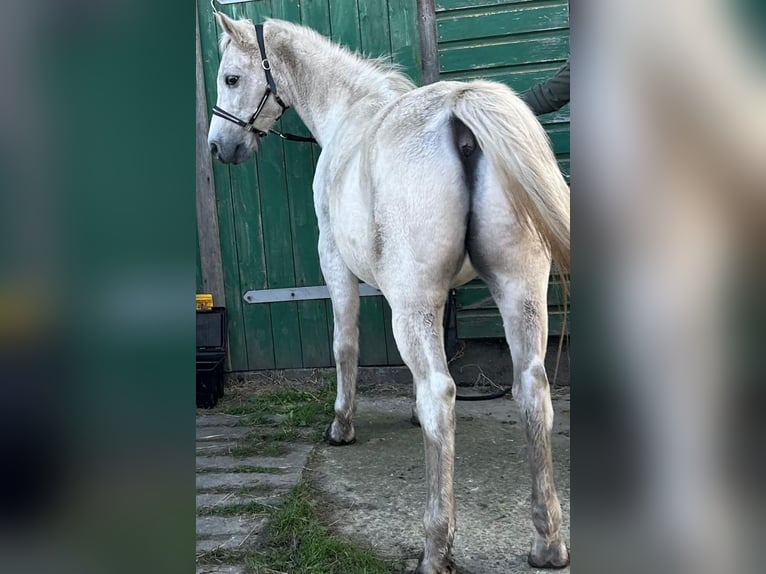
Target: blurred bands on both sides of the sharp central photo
{"type": "Point", "coordinates": [668, 177]}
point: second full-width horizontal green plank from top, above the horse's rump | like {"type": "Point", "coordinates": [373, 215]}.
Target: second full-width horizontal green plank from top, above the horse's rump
{"type": "Point", "coordinates": [482, 54]}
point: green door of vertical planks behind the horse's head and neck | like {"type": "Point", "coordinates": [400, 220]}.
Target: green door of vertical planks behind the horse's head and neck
{"type": "Point", "coordinates": [266, 220]}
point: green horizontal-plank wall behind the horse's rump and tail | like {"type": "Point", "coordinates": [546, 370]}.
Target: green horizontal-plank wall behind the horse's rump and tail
{"type": "Point", "coordinates": [519, 43]}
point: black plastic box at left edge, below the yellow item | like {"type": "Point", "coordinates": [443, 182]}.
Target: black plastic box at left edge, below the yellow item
{"type": "Point", "coordinates": [211, 354]}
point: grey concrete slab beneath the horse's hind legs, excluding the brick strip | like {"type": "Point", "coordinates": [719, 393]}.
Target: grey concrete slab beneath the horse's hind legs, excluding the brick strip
{"type": "Point", "coordinates": [373, 491]}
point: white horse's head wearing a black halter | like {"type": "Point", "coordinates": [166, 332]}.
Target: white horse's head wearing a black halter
{"type": "Point", "coordinates": [246, 109]}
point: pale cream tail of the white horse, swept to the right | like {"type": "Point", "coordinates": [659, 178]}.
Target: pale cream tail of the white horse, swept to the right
{"type": "Point", "coordinates": [518, 151]}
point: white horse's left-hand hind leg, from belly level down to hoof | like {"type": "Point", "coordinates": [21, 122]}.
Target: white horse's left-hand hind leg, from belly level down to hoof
{"type": "Point", "coordinates": [418, 332]}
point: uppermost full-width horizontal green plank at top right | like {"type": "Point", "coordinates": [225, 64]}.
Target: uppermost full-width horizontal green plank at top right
{"type": "Point", "coordinates": [507, 21]}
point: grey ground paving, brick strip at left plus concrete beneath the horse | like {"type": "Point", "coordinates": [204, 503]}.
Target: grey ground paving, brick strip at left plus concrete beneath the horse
{"type": "Point", "coordinates": [373, 492]}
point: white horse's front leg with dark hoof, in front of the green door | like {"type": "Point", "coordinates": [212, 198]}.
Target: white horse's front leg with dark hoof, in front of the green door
{"type": "Point", "coordinates": [344, 293]}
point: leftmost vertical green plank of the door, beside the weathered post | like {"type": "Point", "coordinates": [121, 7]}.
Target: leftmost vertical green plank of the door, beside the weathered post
{"type": "Point", "coordinates": [237, 346]}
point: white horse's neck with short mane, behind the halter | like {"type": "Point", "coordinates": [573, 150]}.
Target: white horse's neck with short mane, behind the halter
{"type": "Point", "coordinates": [329, 89]}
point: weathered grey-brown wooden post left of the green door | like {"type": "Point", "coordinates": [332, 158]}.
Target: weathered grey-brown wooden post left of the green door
{"type": "Point", "coordinates": [208, 239]}
